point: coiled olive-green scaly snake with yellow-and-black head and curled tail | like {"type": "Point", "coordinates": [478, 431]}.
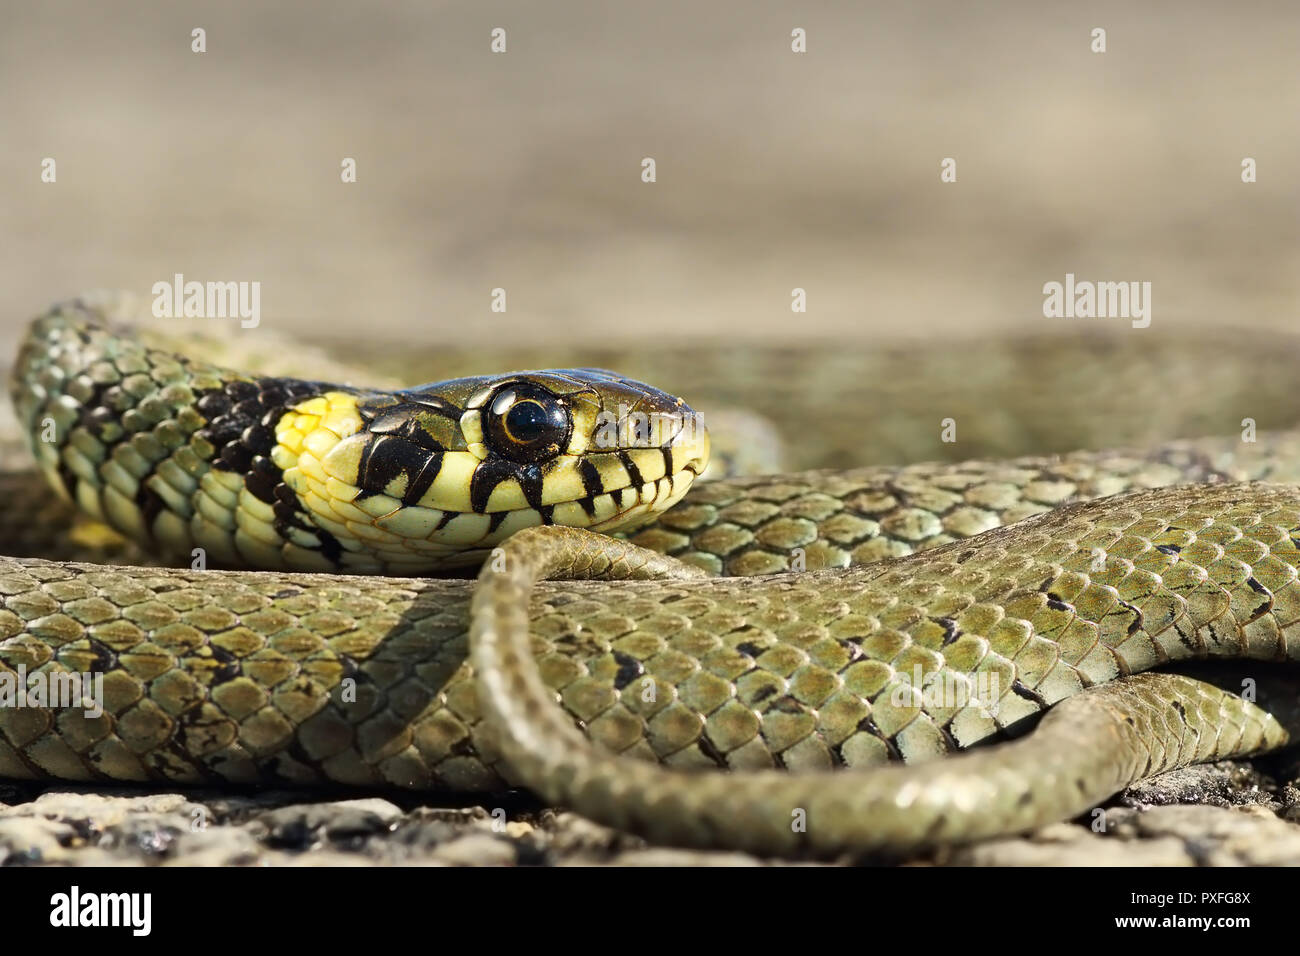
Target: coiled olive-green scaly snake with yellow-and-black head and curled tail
{"type": "Point", "coordinates": [289, 676]}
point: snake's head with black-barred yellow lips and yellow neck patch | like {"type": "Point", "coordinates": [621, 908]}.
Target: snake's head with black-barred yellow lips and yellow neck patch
{"type": "Point", "coordinates": [434, 477]}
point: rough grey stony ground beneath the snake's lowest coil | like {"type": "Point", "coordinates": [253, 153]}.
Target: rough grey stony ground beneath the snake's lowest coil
{"type": "Point", "coordinates": [1232, 815]}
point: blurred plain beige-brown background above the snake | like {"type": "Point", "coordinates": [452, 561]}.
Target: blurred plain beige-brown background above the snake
{"type": "Point", "coordinates": [523, 170]}
